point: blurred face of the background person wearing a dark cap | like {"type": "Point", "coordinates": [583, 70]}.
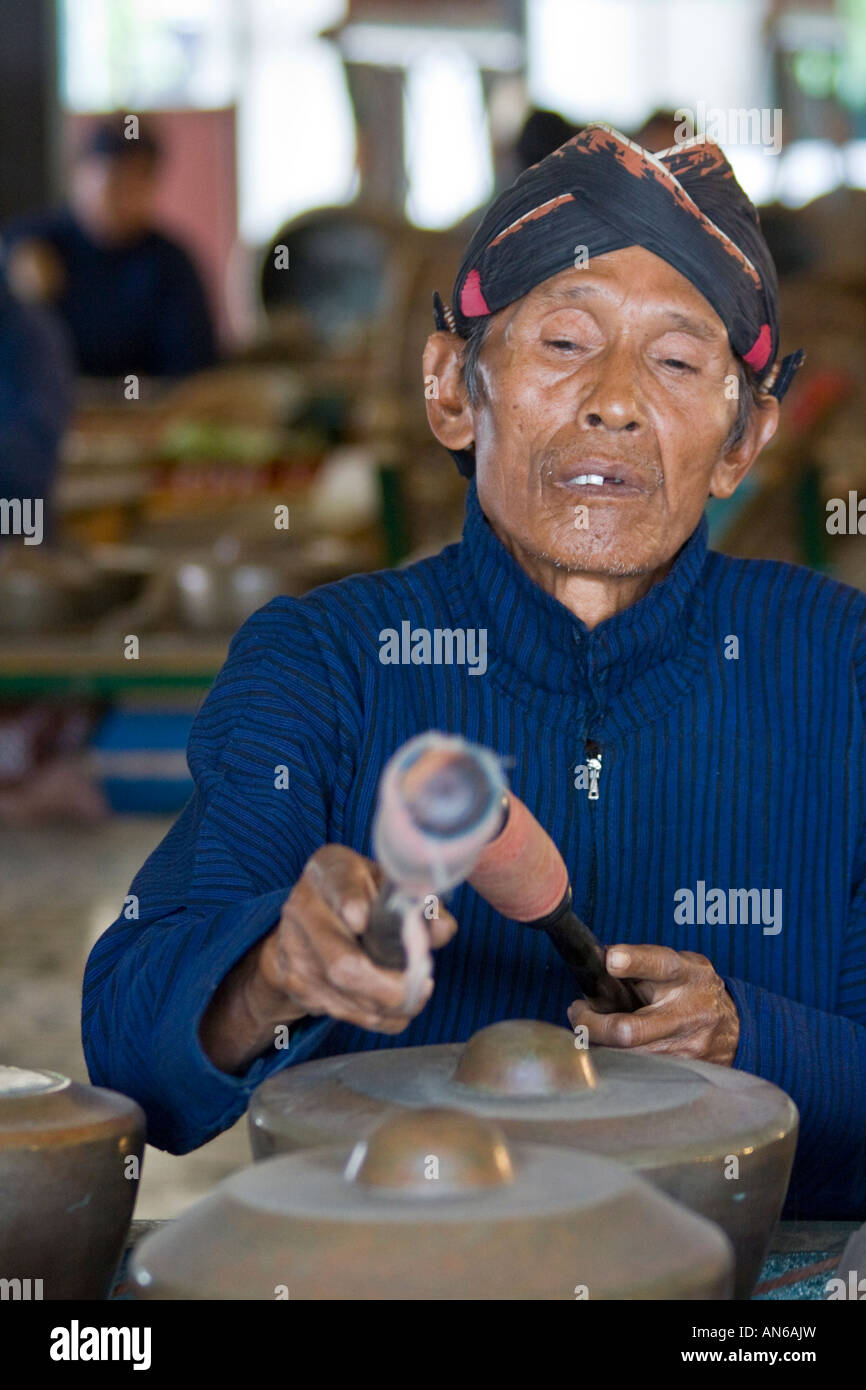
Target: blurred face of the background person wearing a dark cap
{"type": "Point", "coordinates": [115, 197]}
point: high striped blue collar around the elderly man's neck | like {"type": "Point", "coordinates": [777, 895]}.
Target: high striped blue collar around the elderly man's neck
{"type": "Point", "coordinates": [532, 630]}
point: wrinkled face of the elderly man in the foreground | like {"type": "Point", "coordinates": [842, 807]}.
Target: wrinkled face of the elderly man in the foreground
{"type": "Point", "coordinates": [618, 370]}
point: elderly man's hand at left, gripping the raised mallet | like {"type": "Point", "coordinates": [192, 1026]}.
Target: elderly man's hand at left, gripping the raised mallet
{"type": "Point", "coordinates": [312, 964]}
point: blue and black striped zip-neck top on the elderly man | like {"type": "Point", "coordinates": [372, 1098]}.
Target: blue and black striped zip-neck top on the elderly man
{"type": "Point", "coordinates": [737, 772]}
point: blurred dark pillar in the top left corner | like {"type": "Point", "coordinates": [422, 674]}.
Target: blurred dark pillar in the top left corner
{"type": "Point", "coordinates": [30, 106]}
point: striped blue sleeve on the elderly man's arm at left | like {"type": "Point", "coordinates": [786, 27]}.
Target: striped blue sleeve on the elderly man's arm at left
{"type": "Point", "coordinates": [269, 754]}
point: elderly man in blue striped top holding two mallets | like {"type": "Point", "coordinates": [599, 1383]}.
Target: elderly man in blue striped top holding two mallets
{"type": "Point", "coordinates": [687, 728]}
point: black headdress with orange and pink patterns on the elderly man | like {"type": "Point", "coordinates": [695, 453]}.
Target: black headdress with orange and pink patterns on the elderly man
{"type": "Point", "coordinates": [603, 193]}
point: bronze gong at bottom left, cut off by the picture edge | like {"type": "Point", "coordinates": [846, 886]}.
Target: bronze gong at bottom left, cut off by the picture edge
{"type": "Point", "coordinates": [67, 1184]}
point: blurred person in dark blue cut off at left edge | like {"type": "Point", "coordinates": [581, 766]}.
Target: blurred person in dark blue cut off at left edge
{"type": "Point", "coordinates": [35, 404]}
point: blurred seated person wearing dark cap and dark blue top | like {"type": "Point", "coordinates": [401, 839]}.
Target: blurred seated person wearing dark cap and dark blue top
{"type": "Point", "coordinates": [131, 297]}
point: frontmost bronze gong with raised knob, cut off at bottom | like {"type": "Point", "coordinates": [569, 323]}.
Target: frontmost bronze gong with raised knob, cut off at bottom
{"type": "Point", "coordinates": [436, 1204]}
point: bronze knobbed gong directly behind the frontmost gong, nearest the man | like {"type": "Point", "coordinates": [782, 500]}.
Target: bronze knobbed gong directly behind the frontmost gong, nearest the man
{"type": "Point", "coordinates": [718, 1140]}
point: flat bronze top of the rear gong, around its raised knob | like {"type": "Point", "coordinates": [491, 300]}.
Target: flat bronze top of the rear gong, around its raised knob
{"type": "Point", "coordinates": [711, 1111]}
